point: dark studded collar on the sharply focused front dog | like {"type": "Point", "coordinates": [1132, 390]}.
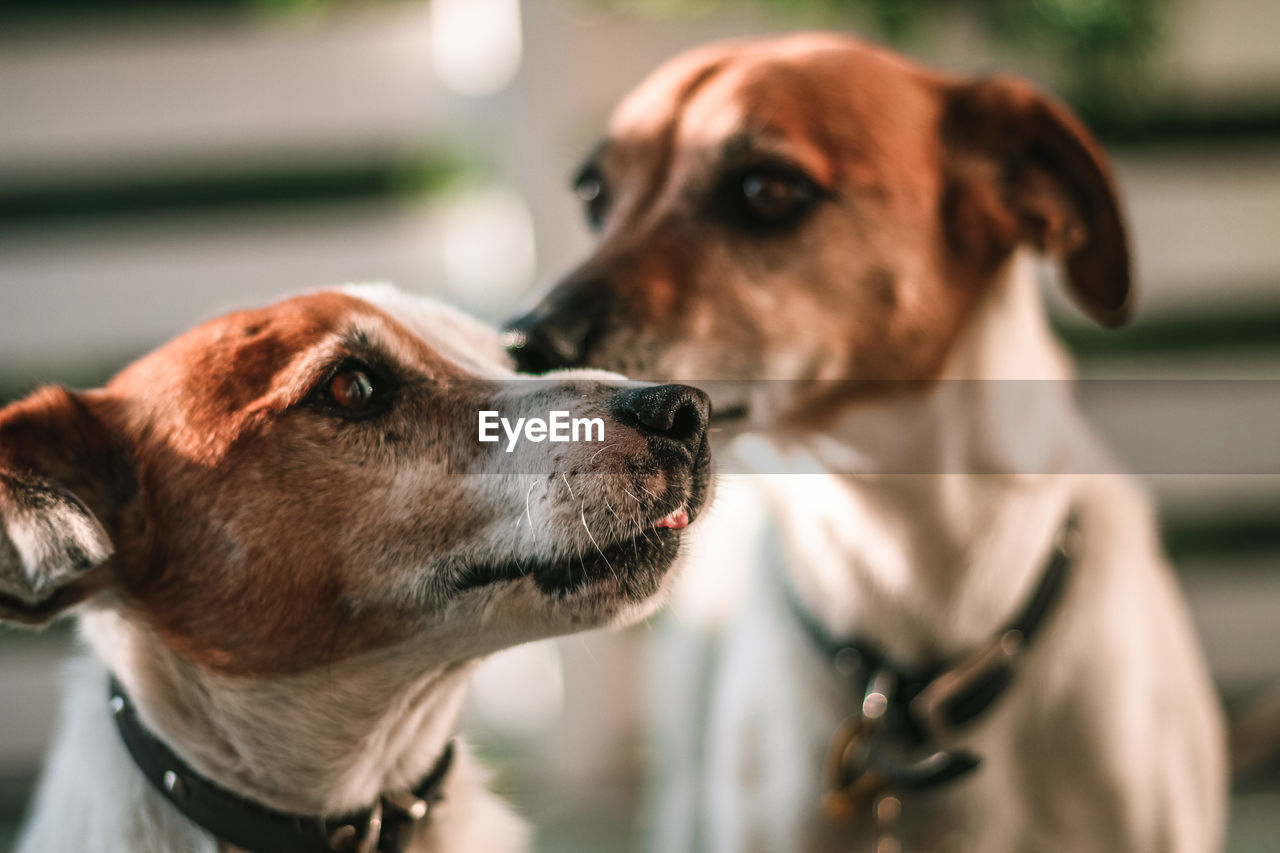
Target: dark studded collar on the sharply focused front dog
{"type": "Point", "coordinates": [387, 827]}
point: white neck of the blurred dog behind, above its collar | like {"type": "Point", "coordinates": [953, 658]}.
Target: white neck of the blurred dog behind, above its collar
{"type": "Point", "coordinates": [935, 530]}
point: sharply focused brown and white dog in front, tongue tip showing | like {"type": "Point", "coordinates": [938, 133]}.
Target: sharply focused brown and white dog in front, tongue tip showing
{"type": "Point", "coordinates": [286, 542]}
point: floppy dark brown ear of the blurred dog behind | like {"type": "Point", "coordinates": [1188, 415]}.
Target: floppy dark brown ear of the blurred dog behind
{"type": "Point", "coordinates": [1023, 170]}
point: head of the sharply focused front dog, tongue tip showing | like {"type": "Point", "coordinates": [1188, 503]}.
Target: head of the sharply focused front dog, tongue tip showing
{"type": "Point", "coordinates": [287, 487]}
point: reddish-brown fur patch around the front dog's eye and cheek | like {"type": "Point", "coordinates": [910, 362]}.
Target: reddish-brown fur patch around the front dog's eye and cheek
{"type": "Point", "coordinates": [273, 527]}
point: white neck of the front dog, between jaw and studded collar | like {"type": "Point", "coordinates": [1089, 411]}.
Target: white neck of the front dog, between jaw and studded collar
{"type": "Point", "coordinates": [318, 743]}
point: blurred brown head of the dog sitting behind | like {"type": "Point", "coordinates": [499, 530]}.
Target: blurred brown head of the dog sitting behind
{"type": "Point", "coordinates": [820, 209]}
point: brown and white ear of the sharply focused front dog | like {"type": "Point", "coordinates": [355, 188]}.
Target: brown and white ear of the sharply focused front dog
{"type": "Point", "coordinates": [57, 460]}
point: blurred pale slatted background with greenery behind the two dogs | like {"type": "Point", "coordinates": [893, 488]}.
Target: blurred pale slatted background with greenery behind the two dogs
{"type": "Point", "coordinates": [162, 161]}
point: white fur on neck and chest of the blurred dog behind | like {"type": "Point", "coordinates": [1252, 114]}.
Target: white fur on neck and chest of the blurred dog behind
{"type": "Point", "coordinates": [1110, 738]}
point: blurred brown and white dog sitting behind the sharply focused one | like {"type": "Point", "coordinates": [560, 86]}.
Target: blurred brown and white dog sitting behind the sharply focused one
{"type": "Point", "coordinates": [845, 239]}
